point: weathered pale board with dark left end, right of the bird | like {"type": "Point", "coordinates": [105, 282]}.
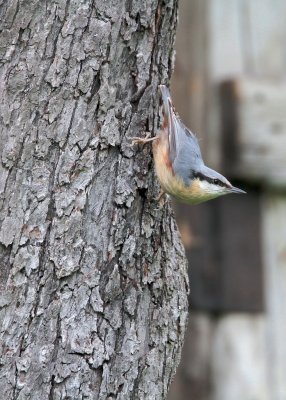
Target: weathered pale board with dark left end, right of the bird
{"type": "Point", "coordinates": [254, 130]}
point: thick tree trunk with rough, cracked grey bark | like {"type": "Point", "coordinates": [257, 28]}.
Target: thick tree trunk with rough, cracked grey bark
{"type": "Point", "coordinates": [93, 300]}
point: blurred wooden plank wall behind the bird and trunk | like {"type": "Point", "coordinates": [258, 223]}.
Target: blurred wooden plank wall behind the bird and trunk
{"type": "Point", "coordinates": [229, 88]}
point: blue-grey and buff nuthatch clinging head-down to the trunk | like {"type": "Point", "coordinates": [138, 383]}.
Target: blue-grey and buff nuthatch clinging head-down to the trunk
{"type": "Point", "coordinates": [179, 165]}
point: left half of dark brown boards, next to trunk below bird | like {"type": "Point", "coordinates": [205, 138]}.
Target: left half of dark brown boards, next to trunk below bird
{"type": "Point", "coordinates": [201, 241]}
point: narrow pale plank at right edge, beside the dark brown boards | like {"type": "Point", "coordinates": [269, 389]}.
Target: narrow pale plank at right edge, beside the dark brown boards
{"type": "Point", "coordinates": [274, 245]}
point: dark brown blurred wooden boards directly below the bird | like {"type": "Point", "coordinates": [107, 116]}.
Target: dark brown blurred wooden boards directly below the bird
{"type": "Point", "coordinates": [223, 246]}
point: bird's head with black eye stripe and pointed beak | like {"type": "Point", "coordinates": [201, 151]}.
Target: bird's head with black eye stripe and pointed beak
{"type": "Point", "coordinates": [209, 184]}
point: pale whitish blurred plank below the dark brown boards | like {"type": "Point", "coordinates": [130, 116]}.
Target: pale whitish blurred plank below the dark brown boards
{"type": "Point", "coordinates": [239, 359]}
